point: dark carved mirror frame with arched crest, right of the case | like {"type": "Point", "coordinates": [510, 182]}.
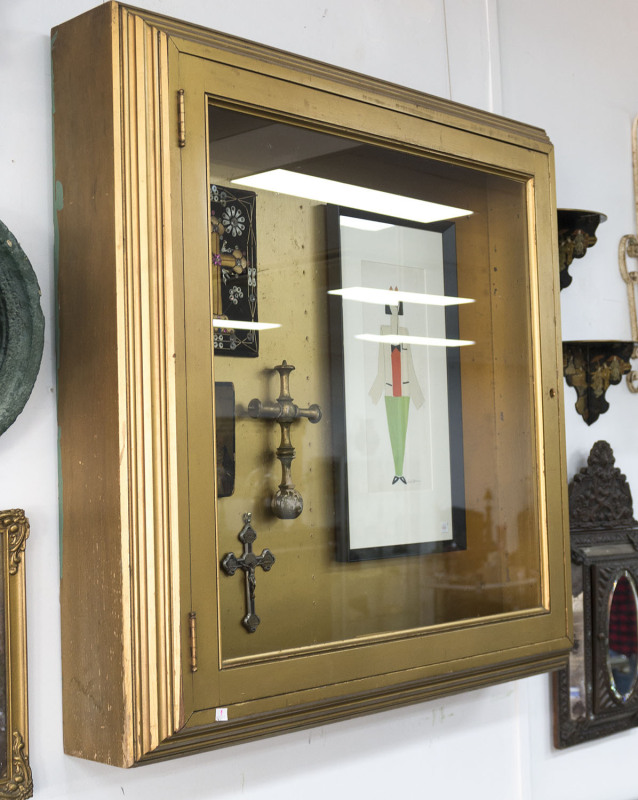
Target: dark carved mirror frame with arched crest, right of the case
{"type": "Point", "coordinates": [604, 550]}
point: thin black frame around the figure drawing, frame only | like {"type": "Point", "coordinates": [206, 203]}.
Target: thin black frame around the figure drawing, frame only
{"type": "Point", "coordinates": [345, 551]}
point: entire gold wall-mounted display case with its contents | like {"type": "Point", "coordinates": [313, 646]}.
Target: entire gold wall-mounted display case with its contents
{"type": "Point", "coordinates": [311, 438]}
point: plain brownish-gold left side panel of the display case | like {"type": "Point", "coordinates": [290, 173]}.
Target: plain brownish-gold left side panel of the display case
{"type": "Point", "coordinates": [94, 650]}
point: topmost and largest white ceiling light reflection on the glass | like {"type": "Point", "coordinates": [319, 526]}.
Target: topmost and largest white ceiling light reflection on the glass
{"type": "Point", "coordinates": [345, 194]}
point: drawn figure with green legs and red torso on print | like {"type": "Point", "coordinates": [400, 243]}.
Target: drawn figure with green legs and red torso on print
{"type": "Point", "coordinates": [397, 382]}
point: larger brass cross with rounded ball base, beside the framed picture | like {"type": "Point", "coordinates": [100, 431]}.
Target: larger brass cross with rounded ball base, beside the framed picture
{"type": "Point", "coordinates": [286, 503]}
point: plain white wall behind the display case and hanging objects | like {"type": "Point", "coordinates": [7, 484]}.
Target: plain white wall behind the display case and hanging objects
{"type": "Point", "coordinates": [564, 65]}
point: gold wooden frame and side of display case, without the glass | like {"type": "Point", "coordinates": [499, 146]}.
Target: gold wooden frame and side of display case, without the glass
{"type": "Point", "coordinates": [127, 114]}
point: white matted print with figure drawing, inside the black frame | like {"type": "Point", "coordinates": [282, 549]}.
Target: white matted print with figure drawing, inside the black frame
{"type": "Point", "coordinates": [396, 396]}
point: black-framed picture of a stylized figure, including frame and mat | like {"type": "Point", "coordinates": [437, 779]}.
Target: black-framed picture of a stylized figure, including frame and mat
{"type": "Point", "coordinates": [399, 482]}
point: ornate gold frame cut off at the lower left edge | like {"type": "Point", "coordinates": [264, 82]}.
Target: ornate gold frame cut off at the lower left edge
{"type": "Point", "coordinates": [15, 773]}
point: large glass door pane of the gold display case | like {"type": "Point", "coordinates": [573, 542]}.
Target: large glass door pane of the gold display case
{"type": "Point", "coordinates": [392, 292]}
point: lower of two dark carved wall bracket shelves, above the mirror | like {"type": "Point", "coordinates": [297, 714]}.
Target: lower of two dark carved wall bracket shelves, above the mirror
{"type": "Point", "coordinates": [591, 367]}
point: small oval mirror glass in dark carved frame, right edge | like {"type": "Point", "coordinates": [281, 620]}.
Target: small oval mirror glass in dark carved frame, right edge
{"type": "Point", "coordinates": [623, 637]}
